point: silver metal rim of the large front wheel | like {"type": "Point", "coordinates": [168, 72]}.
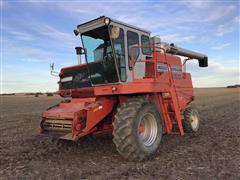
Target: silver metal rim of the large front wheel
{"type": "Point", "coordinates": [147, 129]}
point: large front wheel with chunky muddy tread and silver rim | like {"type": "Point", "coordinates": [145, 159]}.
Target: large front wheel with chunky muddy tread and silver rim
{"type": "Point", "coordinates": [137, 129]}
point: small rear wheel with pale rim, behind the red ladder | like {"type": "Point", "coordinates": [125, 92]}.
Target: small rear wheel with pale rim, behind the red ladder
{"type": "Point", "coordinates": [191, 120]}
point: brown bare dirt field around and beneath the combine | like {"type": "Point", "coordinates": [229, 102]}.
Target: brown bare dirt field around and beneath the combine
{"type": "Point", "coordinates": [214, 153]}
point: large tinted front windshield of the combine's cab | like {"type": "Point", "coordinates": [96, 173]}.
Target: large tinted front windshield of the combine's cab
{"type": "Point", "coordinates": [100, 58]}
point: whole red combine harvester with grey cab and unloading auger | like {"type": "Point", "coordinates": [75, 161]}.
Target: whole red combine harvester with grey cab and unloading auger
{"type": "Point", "coordinates": [131, 84]}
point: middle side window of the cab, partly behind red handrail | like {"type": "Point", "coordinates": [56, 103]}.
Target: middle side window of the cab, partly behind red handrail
{"type": "Point", "coordinates": [132, 41]}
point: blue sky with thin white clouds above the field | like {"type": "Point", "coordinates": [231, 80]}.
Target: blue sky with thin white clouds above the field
{"type": "Point", "coordinates": [37, 33]}
